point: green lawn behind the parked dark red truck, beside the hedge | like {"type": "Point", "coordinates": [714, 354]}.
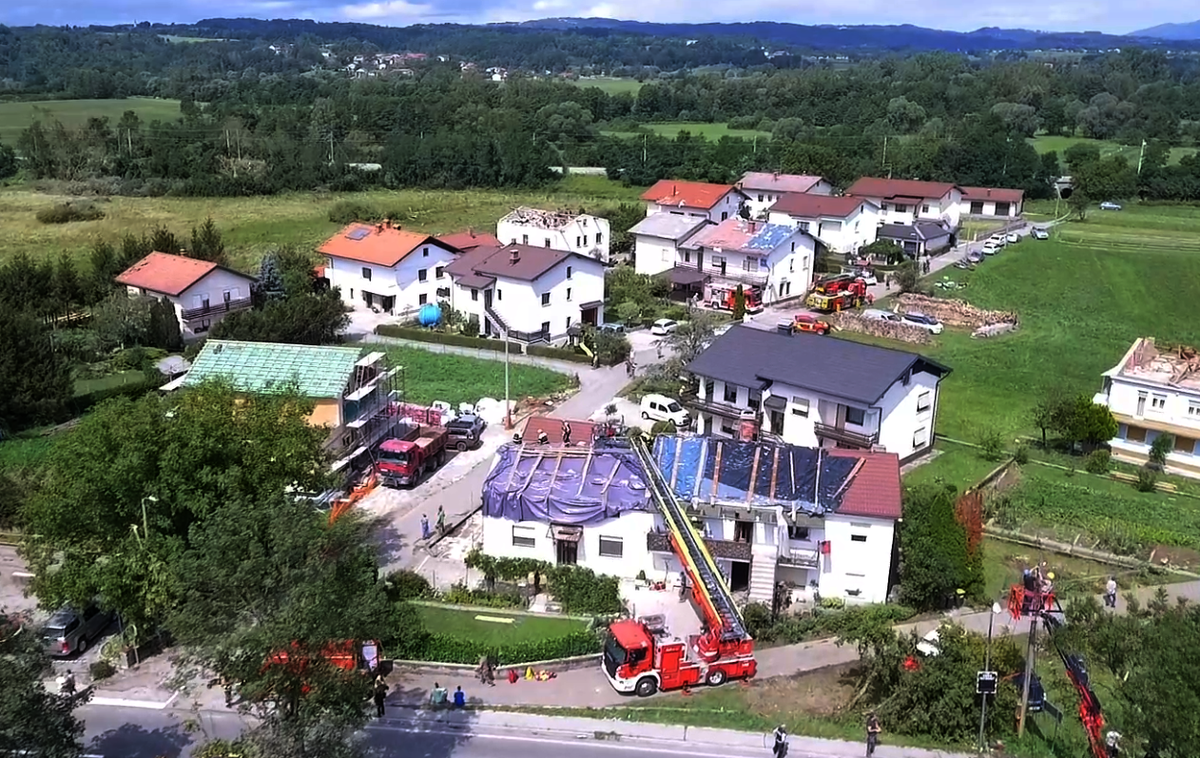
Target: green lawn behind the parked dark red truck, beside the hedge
{"type": "Point", "coordinates": [455, 380]}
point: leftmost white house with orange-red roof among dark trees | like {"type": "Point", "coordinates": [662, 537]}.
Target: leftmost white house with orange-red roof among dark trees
{"type": "Point", "coordinates": [202, 292]}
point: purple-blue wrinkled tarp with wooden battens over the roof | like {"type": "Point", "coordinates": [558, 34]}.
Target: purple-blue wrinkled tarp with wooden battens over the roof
{"type": "Point", "coordinates": [544, 485]}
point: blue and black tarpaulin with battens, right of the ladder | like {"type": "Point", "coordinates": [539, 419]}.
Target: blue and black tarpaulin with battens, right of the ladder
{"type": "Point", "coordinates": [753, 473]}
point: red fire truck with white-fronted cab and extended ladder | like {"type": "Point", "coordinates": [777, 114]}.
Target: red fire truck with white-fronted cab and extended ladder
{"type": "Point", "coordinates": [640, 657]}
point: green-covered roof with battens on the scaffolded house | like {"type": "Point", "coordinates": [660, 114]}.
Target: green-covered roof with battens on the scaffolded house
{"type": "Point", "coordinates": [271, 368]}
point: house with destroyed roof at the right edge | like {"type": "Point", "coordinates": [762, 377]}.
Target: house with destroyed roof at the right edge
{"type": "Point", "coordinates": [1151, 393]}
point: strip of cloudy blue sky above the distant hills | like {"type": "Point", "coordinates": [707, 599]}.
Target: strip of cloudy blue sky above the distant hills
{"type": "Point", "coordinates": [1109, 16]}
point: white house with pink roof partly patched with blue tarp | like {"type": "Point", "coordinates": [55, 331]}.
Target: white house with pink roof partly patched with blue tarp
{"type": "Point", "coordinates": [776, 258]}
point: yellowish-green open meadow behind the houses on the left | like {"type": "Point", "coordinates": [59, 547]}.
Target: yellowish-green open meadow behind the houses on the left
{"type": "Point", "coordinates": [254, 226]}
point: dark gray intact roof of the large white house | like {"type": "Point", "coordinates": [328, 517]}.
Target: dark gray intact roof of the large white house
{"type": "Point", "coordinates": [851, 371]}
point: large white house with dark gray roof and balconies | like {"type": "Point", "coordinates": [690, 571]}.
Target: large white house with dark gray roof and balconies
{"type": "Point", "coordinates": [814, 390]}
